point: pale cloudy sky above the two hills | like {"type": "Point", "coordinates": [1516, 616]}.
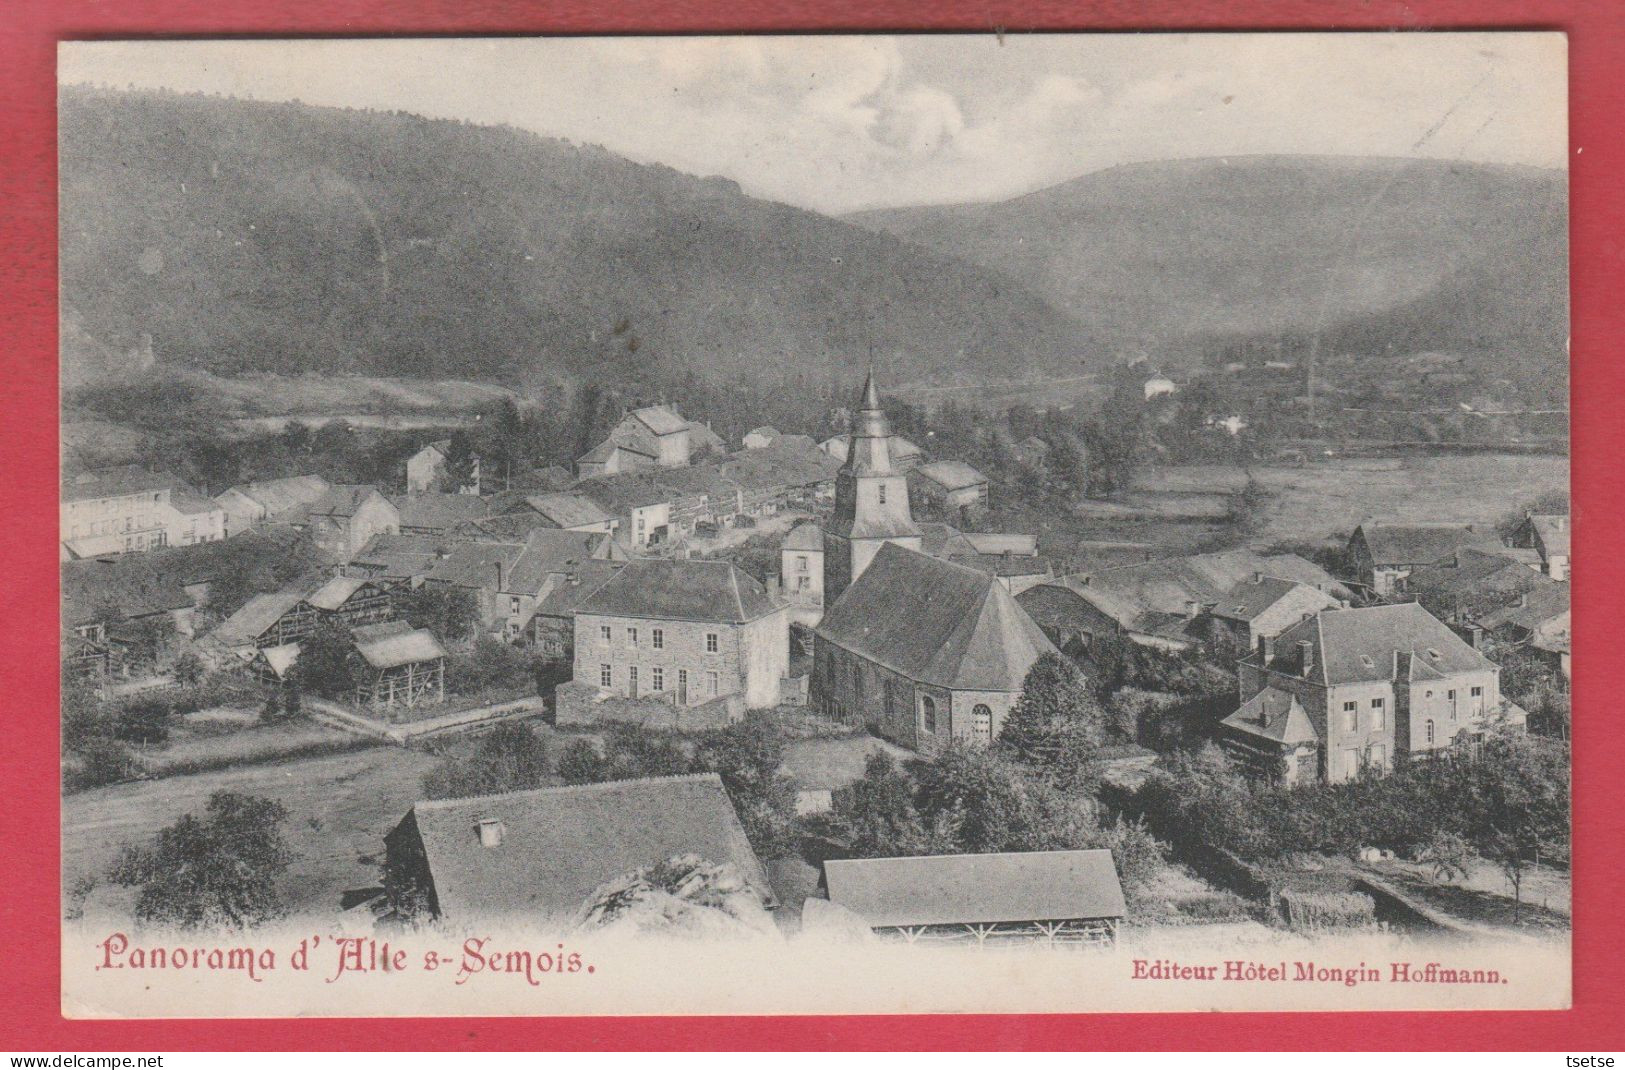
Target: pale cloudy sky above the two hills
{"type": "Point", "coordinates": [846, 123]}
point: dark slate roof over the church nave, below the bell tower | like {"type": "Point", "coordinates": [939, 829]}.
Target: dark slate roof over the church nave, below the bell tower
{"type": "Point", "coordinates": [935, 622]}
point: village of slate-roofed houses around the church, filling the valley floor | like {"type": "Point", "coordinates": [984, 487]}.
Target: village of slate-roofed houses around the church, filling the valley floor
{"type": "Point", "coordinates": [804, 685]}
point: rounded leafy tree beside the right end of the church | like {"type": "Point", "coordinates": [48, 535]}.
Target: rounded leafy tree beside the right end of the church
{"type": "Point", "coordinates": [1057, 726]}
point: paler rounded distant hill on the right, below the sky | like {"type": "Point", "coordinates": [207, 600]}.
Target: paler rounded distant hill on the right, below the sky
{"type": "Point", "coordinates": [1379, 254]}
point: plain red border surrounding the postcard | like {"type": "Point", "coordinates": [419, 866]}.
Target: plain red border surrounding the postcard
{"type": "Point", "coordinates": [28, 492]}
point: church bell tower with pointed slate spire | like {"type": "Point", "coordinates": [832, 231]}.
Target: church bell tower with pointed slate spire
{"type": "Point", "coordinates": [872, 500]}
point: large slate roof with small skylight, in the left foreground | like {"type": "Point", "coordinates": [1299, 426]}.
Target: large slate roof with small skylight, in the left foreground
{"type": "Point", "coordinates": [560, 845]}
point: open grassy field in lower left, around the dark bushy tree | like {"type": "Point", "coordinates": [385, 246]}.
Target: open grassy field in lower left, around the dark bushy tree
{"type": "Point", "coordinates": [340, 807]}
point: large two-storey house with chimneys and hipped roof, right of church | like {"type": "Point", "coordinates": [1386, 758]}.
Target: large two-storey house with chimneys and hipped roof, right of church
{"type": "Point", "coordinates": [1376, 685]}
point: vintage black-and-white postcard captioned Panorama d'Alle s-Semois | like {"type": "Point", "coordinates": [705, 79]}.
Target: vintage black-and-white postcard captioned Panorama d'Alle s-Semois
{"type": "Point", "coordinates": [831, 524]}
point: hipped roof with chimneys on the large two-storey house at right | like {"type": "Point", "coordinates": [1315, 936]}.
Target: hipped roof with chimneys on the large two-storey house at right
{"type": "Point", "coordinates": [1366, 645]}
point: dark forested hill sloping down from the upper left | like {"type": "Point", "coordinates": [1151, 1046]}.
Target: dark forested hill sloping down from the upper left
{"type": "Point", "coordinates": [249, 237]}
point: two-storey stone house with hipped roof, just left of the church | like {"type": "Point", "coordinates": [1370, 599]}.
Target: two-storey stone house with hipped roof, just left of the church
{"type": "Point", "coordinates": [685, 632]}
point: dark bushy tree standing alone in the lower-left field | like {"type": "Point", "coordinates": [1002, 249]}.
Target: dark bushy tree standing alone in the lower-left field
{"type": "Point", "coordinates": [220, 871]}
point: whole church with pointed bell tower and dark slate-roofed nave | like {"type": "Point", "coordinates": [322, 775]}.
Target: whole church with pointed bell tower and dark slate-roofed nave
{"type": "Point", "coordinates": [919, 650]}
